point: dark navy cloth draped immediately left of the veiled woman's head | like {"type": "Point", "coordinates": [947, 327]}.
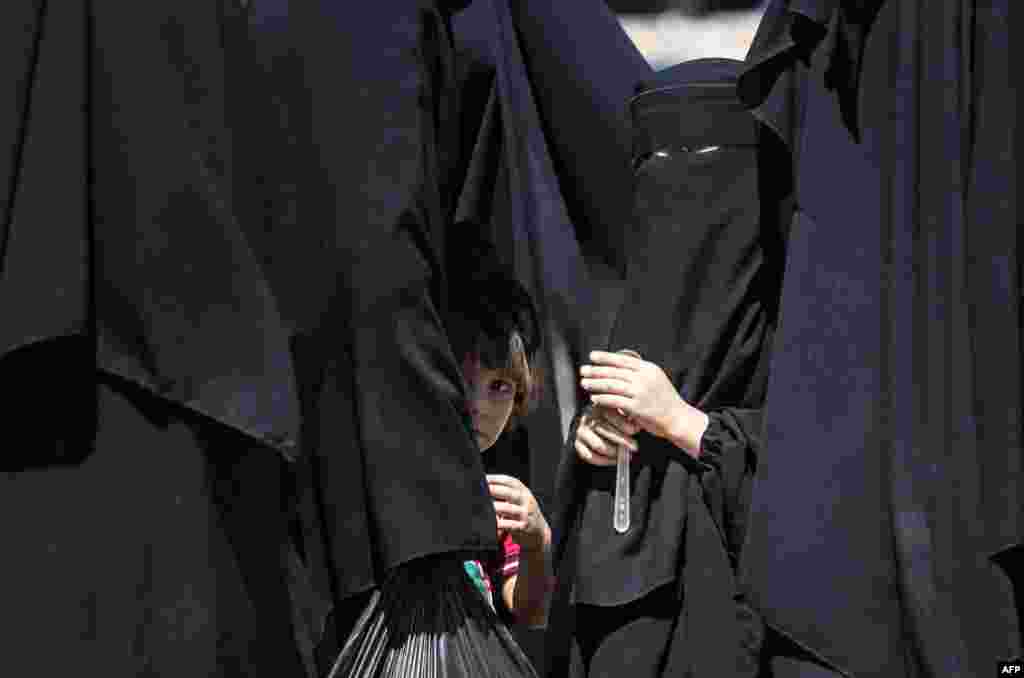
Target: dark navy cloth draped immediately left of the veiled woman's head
{"type": "Point", "coordinates": [584, 68]}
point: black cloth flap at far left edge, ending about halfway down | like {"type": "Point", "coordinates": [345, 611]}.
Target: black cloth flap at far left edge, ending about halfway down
{"type": "Point", "coordinates": [45, 225]}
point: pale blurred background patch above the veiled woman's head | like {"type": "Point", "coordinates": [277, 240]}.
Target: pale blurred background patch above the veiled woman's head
{"type": "Point", "coordinates": [668, 32]}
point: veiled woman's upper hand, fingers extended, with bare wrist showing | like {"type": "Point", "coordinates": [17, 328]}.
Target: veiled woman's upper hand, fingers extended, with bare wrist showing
{"type": "Point", "coordinates": [644, 393]}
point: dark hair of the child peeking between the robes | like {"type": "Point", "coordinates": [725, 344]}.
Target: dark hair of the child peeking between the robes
{"type": "Point", "coordinates": [496, 322]}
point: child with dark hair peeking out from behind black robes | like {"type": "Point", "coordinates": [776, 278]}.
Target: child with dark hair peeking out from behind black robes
{"type": "Point", "coordinates": [495, 323]}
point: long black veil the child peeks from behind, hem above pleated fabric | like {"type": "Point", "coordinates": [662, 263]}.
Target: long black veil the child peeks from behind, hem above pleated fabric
{"type": "Point", "coordinates": [398, 474]}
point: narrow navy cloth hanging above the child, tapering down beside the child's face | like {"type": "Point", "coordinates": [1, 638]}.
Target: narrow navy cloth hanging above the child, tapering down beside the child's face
{"type": "Point", "coordinates": [510, 193]}
